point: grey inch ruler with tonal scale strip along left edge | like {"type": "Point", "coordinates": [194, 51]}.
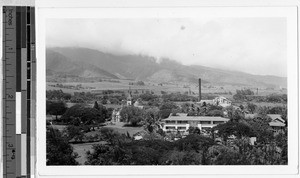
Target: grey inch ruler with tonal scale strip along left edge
{"type": "Point", "coordinates": [18, 90]}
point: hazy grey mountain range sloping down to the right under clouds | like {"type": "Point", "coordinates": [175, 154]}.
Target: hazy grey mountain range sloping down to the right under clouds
{"type": "Point", "coordinates": [85, 62]}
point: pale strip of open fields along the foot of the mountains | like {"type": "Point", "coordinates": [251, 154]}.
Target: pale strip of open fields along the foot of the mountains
{"type": "Point", "coordinates": [157, 88]}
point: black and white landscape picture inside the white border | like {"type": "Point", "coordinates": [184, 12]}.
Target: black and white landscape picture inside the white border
{"type": "Point", "coordinates": [166, 91]}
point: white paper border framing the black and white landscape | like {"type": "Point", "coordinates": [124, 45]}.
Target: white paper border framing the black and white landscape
{"type": "Point", "coordinates": [46, 9]}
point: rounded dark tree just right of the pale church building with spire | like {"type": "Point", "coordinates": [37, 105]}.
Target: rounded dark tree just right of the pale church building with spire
{"type": "Point", "coordinates": [132, 115]}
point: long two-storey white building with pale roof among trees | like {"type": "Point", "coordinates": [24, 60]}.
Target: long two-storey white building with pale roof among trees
{"type": "Point", "coordinates": [182, 122]}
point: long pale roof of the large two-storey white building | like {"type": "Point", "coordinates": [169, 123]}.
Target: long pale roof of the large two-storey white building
{"type": "Point", "coordinates": [196, 118]}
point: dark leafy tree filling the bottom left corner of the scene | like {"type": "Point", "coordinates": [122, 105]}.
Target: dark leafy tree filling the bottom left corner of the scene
{"type": "Point", "coordinates": [59, 151]}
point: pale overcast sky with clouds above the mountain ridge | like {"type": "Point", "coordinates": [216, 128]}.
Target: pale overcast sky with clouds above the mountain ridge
{"type": "Point", "coordinates": [252, 45]}
